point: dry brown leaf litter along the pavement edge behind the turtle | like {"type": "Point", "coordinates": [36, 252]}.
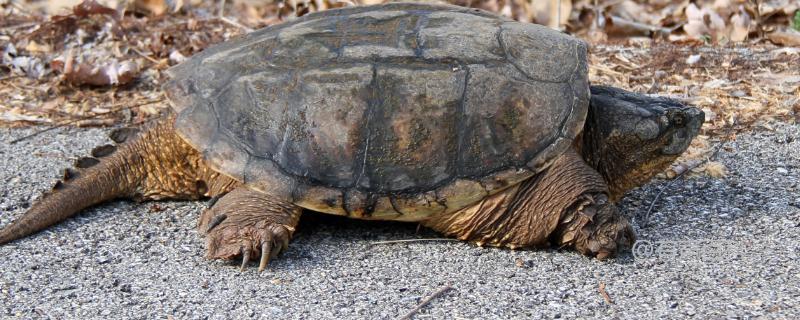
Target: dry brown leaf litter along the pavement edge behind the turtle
{"type": "Point", "coordinates": [87, 63]}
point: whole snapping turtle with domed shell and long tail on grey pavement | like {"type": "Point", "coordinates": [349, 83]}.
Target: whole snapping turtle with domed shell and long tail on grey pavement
{"type": "Point", "coordinates": [479, 127]}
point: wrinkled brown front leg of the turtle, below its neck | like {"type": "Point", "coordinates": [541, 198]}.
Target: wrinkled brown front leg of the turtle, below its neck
{"type": "Point", "coordinates": [558, 205]}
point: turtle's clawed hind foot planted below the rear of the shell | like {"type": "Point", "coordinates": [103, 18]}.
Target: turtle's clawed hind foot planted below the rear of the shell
{"type": "Point", "coordinates": [248, 223]}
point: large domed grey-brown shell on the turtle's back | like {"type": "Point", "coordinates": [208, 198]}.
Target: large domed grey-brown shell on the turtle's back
{"type": "Point", "coordinates": [395, 111]}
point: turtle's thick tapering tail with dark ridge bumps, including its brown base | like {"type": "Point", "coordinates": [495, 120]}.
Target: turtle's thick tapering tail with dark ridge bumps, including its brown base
{"type": "Point", "coordinates": [153, 164]}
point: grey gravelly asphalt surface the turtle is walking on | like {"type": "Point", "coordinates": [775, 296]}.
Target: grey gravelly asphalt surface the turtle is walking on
{"type": "Point", "coordinates": [736, 241]}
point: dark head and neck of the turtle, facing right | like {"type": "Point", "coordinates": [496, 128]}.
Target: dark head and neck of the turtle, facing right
{"type": "Point", "coordinates": [630, 137]}
